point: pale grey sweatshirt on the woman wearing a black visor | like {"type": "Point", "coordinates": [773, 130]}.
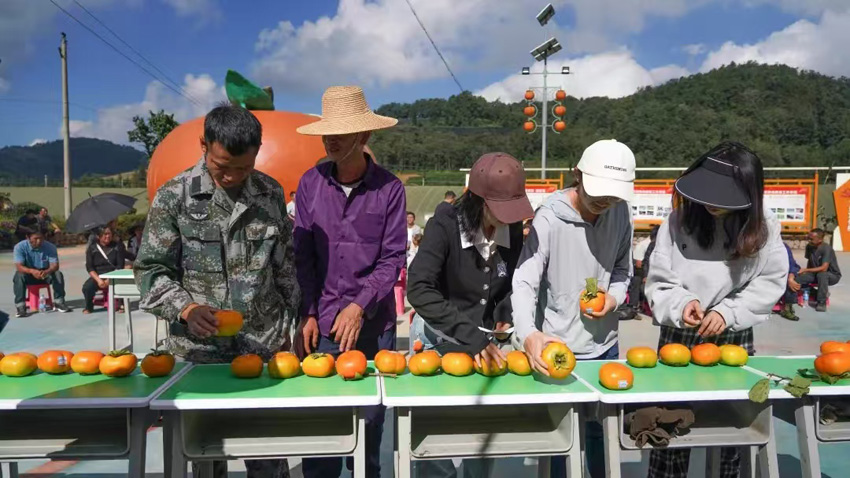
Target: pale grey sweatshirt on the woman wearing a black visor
{"type": "Point", "coordinates": [742, 290]}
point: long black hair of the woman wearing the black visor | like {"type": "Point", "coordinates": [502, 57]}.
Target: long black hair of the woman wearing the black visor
{"type": "Point", "coordinates": [746, 229]}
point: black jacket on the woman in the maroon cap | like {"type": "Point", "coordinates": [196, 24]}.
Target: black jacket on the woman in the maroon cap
{"type": "Point", "coordinates": [455, 290]}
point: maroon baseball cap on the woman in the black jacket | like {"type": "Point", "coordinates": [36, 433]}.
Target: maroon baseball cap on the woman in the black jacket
{"type": "Point", "coordinates": [500, 180]}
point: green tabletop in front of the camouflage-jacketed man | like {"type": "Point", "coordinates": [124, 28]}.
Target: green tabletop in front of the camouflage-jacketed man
{"type": "Point", "coordinates": [214, 387]}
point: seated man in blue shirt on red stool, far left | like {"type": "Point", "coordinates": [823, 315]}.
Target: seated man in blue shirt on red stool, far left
{"type": "Point", "coordinates": [37, 262]}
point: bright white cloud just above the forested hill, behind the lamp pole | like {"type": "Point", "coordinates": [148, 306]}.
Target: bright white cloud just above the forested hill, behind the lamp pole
{"type": "Point", "coordinates": [612, 74]}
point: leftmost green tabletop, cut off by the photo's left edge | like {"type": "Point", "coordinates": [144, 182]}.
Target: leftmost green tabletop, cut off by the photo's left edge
{"type": "Point", "coordinates": [71, 390]}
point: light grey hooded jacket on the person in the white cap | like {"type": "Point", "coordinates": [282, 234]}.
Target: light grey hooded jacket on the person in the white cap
{"type": "Point", "coordinates": [562, 251]}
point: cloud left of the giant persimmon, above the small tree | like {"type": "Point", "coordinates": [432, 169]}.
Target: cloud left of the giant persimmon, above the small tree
{"type": "Point", "coordinates": [112, 123]}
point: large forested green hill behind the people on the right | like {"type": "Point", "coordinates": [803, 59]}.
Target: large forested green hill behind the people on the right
{"type": "Point", "coordinates": [789, 117]}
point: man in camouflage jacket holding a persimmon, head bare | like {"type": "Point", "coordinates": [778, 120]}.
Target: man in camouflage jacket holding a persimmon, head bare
{"type": "Point", "coordinates": [218, 237]}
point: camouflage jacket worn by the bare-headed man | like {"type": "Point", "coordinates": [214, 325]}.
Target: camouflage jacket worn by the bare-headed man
{"type": "Point", "coordinates": [200, 246]}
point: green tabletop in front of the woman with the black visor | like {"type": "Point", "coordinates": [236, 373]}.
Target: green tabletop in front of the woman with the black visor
{"type": "Point", "coordinates": [665, 383]}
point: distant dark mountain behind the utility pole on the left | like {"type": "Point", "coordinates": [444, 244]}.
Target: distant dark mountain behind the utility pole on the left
{"type": "Point", "coordinates": [88, 157]}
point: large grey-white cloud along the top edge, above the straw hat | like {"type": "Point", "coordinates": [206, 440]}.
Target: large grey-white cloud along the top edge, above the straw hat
{"type": "Point", "coordinates": [380, 43]}
